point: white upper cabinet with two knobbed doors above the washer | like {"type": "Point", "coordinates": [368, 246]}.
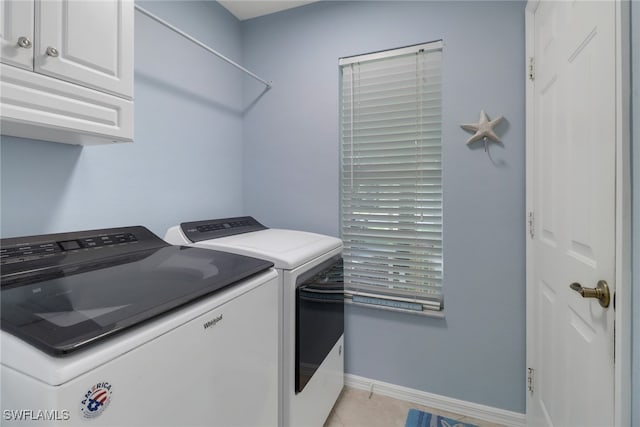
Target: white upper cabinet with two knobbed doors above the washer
{"type": "Point", "coordinates": [67, 70]}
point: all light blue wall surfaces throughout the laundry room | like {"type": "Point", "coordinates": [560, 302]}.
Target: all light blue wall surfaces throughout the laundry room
{"type": "Point", "coordinates": [187, 163]}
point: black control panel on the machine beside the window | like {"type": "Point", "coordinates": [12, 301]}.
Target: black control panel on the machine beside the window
{"type": "Point", "coordinates": [197, 231]}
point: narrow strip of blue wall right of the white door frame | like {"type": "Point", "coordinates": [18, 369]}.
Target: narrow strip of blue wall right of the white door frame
{"type": "Point", "coordinates": [635, 150]}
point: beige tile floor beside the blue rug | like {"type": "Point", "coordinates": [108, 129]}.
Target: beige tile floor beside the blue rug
{"type": "Point", "coordinates": [354, 408]}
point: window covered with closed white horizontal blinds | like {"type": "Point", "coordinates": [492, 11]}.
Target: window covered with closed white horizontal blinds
{"type": "Point", "coordinates": [391, 178]}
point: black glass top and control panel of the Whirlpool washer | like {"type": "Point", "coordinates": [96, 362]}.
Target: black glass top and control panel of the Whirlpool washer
{"type": "Point", "coordinates": [80, 293]}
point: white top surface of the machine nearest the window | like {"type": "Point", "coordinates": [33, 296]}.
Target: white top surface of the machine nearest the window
{"type": "Point", "coordinates": [287, 249]}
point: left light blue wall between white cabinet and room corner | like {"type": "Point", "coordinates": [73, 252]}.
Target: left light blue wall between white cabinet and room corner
{"type": "Point", "coordinates": [186, 161]}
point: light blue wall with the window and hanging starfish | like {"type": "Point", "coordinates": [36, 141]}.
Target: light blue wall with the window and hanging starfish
{"type": "Point", "coordinates": [477, 353]}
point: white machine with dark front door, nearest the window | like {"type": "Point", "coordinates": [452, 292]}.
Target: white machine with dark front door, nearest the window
{"type": "Point", "coordinates": [309, 266]}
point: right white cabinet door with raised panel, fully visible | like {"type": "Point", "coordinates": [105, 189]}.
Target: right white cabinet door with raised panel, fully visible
{"type": "Point", "coordinates": [89, 43]}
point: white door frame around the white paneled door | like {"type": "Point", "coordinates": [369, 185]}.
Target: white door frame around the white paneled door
{"type": "Point", "coordinates": [623, 343]}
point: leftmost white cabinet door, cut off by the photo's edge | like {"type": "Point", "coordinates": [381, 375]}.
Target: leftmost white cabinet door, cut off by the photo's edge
{"type": "Point", "coordinates": [16, 33]}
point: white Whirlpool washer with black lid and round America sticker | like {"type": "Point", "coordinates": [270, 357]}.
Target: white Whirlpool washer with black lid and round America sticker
{"type": "Point", "coordinates": [117, 328]}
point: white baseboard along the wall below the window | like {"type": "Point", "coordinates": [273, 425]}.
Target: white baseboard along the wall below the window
{"type": "Point", "coordinates": [443, 403]}
